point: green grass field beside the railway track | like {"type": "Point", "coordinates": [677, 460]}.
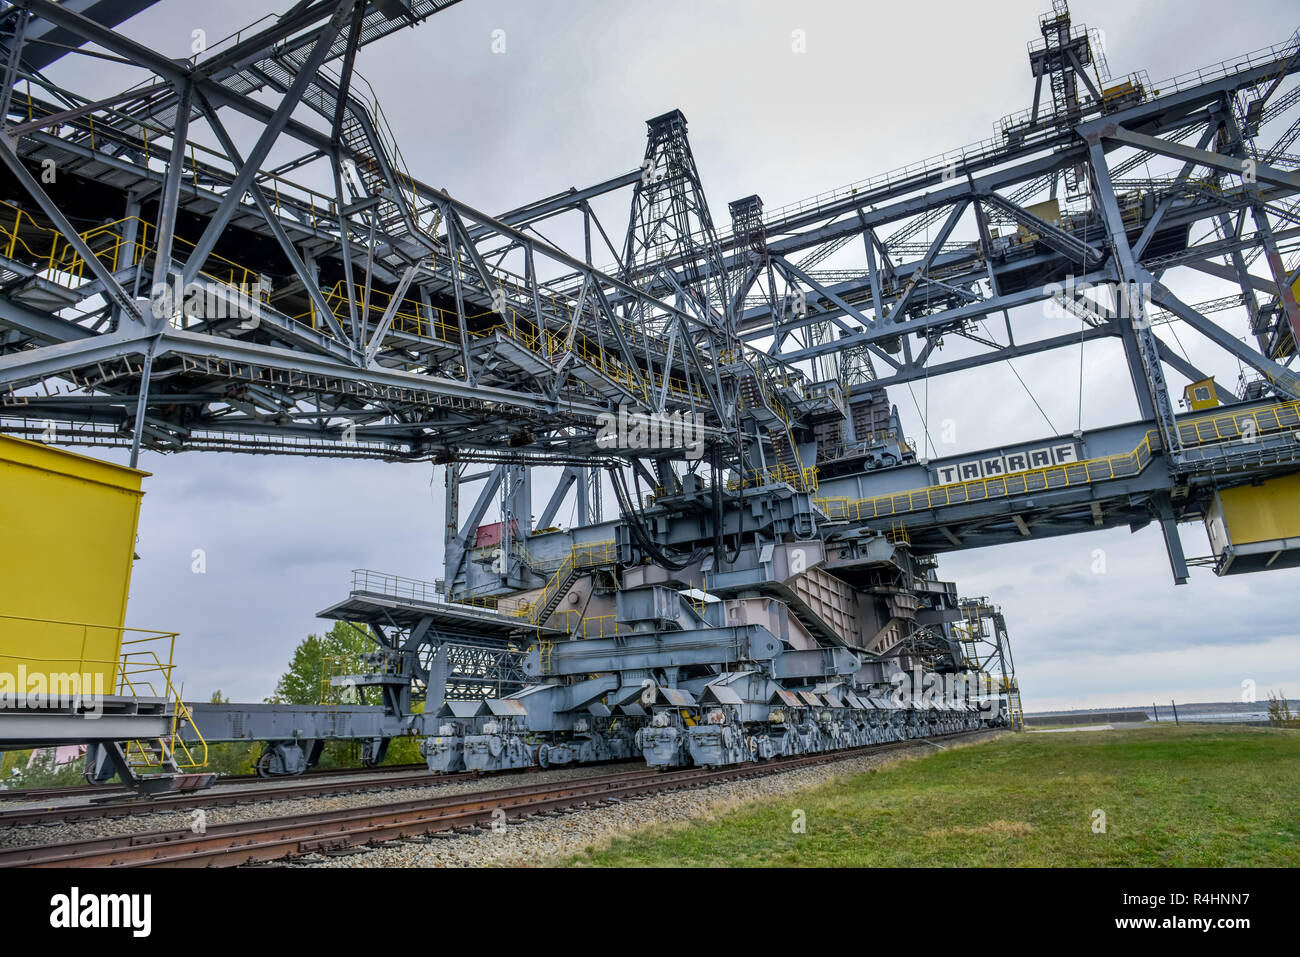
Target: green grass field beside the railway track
{"type": "Point", "coordinates": [1173, 798]}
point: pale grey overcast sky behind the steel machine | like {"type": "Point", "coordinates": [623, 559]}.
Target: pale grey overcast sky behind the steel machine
{"type": "Point", "coordinates": [879, 85]}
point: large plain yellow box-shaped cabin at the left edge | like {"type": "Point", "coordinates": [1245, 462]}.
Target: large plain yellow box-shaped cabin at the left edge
{"type": "Point", "coordinates": [67, 543]}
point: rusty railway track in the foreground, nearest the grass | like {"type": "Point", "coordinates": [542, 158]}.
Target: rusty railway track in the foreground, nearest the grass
{"type": "Point", "coordinates": [275, 839]}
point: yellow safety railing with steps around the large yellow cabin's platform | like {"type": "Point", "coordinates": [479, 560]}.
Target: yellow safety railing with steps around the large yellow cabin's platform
{"type": "Point", "coordinates": [141, 673]}
